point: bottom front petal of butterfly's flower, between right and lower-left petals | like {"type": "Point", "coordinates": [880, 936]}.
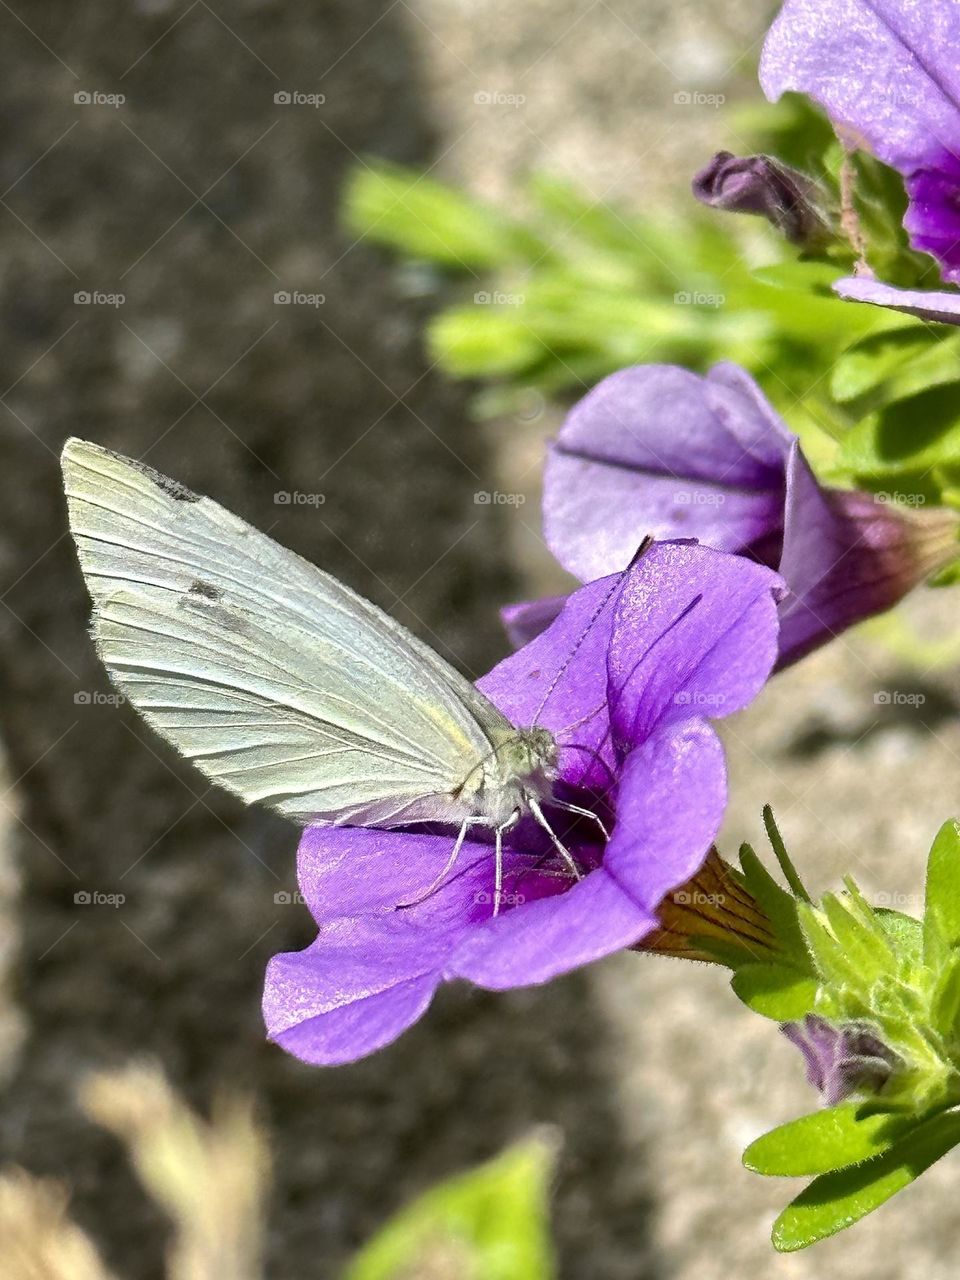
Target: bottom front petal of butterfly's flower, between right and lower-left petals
{"type": "Point", "coordinates": [541, 940]}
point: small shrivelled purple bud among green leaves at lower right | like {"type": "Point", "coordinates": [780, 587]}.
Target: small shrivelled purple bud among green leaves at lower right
{"type": "Point", "coordinates": [842, 1060]}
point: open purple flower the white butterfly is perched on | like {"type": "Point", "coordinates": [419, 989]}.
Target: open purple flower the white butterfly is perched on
{"type": "Point", "coordinates": [625, 679]}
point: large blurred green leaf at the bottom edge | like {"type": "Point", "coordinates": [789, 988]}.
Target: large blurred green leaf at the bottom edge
{"type": "Point", "coordinates": [490, 1224]}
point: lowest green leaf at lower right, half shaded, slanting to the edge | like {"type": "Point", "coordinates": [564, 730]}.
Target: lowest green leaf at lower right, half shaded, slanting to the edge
{"type": "Point", "coordinates": [836, 1201]}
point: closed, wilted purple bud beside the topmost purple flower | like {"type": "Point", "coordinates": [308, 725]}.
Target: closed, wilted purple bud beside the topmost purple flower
{"type": "Point", "coordinates": [764, 186]}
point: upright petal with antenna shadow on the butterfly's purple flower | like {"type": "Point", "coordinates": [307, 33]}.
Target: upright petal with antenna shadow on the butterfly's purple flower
{"type": "Point", "coordinates": [708, 624]}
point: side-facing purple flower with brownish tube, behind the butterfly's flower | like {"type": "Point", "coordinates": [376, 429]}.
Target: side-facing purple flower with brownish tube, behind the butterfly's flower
{"type": "Point", "coordinates": [657, 450]}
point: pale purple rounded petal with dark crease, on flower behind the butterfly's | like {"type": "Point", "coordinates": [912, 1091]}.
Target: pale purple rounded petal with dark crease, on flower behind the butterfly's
{"type": "Point", "coordinates": [657, 450]}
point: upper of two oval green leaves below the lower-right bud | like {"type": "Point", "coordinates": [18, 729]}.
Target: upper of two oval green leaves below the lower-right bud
{"type": "Point", "coordinates": [826, 1141]}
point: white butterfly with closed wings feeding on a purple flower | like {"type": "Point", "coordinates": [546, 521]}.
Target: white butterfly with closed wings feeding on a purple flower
{"type": "Point", "coordinates": [280, 683]}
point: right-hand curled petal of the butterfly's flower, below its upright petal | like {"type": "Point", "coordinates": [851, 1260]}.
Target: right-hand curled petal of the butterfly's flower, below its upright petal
{"type": "Point", "coordinates": [671, 802]}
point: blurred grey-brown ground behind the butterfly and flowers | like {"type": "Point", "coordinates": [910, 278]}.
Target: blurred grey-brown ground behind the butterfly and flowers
{"type": "Point", "coordinates": [198, 199]}
